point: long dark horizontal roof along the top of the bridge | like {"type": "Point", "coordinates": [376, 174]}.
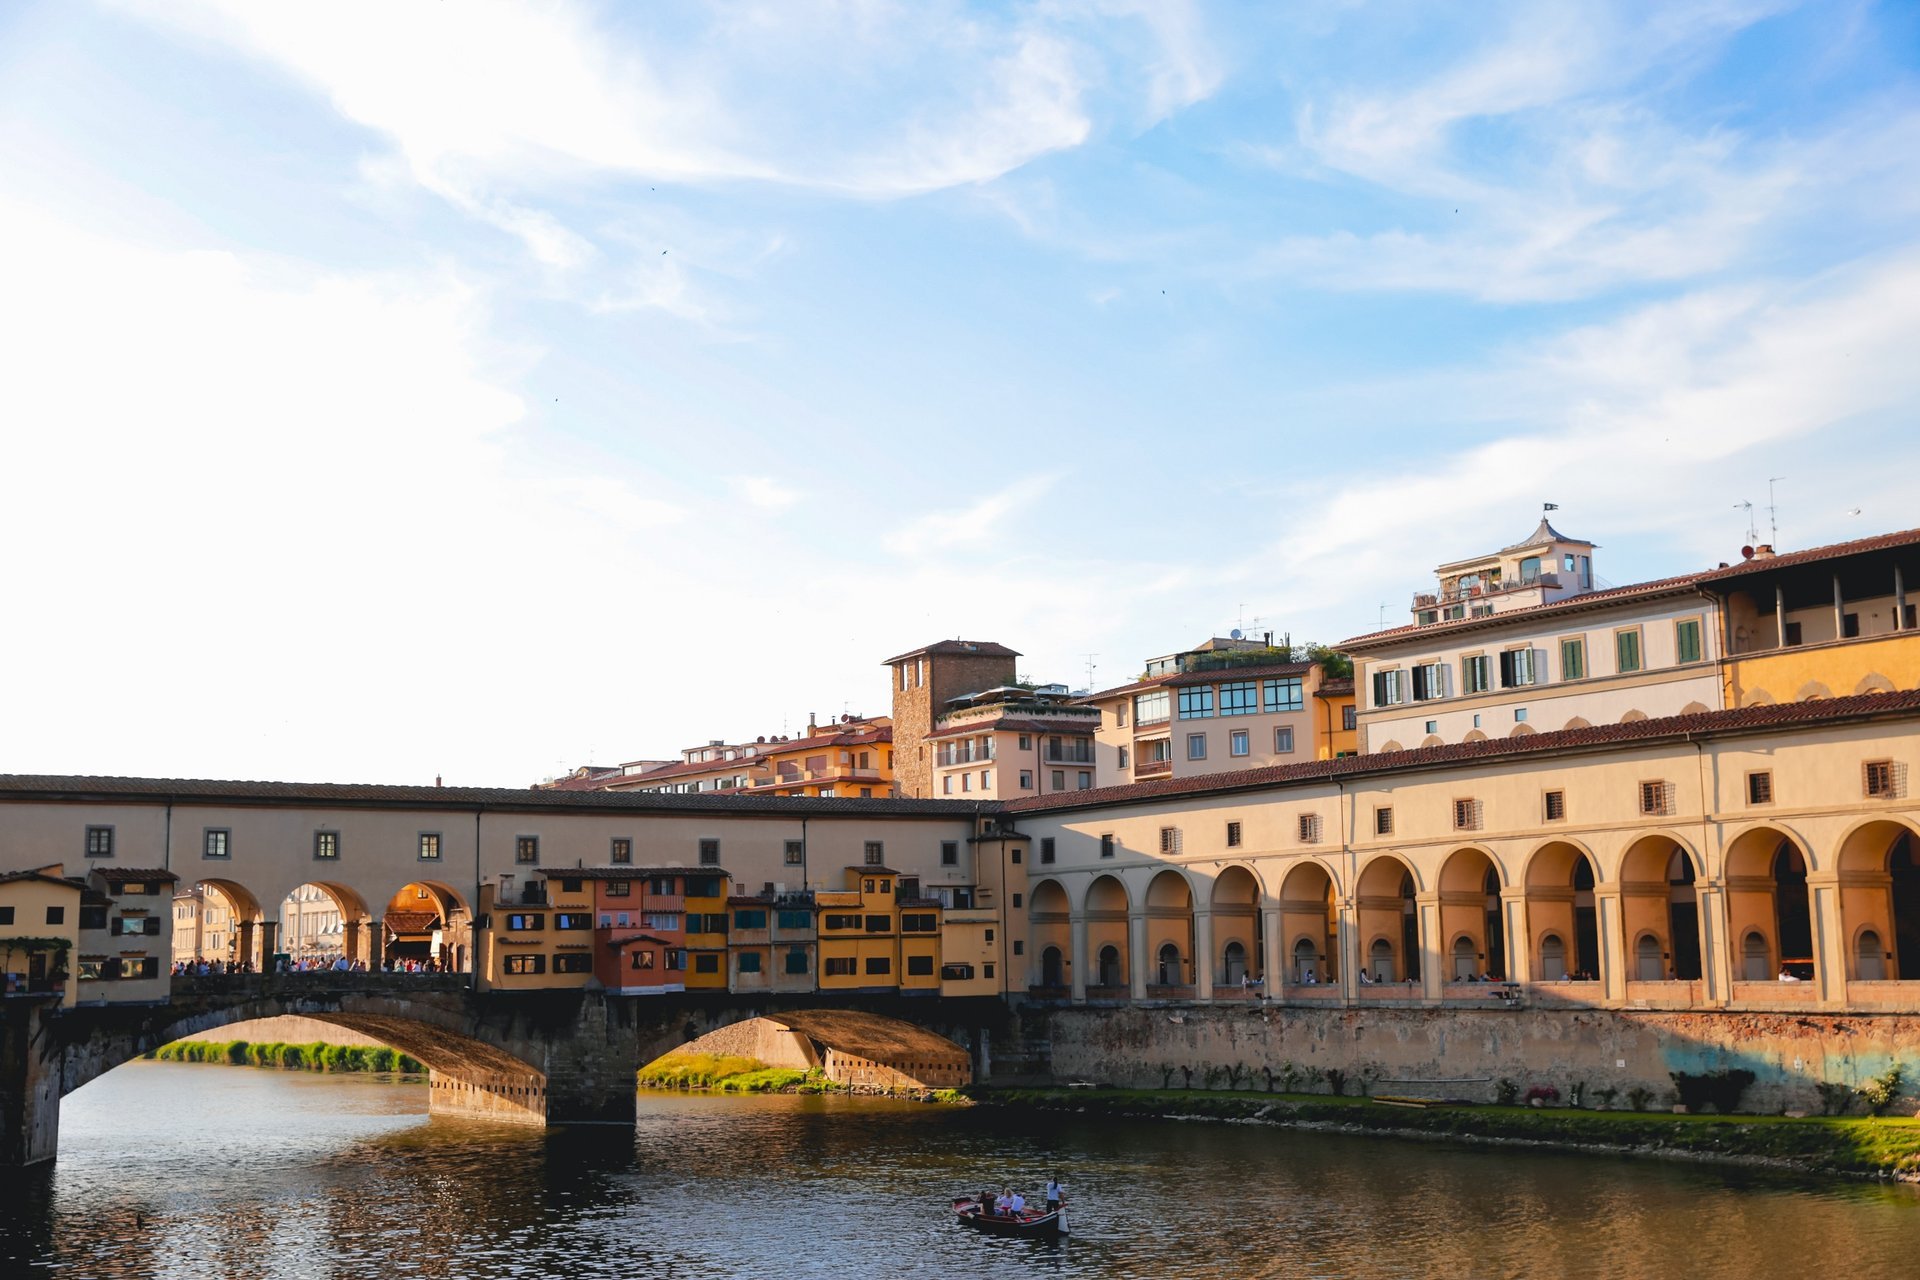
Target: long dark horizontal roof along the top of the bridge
{"type": "Point", "coordinates": [469, 799]}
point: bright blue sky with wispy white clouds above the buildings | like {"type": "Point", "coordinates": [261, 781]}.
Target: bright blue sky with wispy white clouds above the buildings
{"type": "Point", "coordinates": [479, 391]}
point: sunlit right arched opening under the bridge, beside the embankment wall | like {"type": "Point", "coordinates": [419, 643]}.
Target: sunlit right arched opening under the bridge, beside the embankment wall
{"type": "Point", "coordinates": [846, 1047]}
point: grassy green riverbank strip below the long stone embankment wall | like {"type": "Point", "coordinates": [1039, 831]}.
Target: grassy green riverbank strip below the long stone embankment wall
{"type": "Point", "coordinates": [1821, 1145]}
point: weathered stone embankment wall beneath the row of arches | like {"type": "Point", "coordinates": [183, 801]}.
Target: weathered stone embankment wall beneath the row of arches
{"type": "Point", "coordinates": [1470, 1053]}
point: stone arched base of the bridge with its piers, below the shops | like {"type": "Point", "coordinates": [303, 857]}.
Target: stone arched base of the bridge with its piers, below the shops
{"type": "Point", "coordinates": [529, 1058]}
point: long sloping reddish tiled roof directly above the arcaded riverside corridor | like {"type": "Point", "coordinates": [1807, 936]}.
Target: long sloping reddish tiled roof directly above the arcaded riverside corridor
{"type": "Point", "coordinates": [1700, 724]}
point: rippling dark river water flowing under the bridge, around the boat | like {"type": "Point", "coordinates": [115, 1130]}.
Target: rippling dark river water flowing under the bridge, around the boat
{"type": "Point", "coordinates": [172, 1170]}
